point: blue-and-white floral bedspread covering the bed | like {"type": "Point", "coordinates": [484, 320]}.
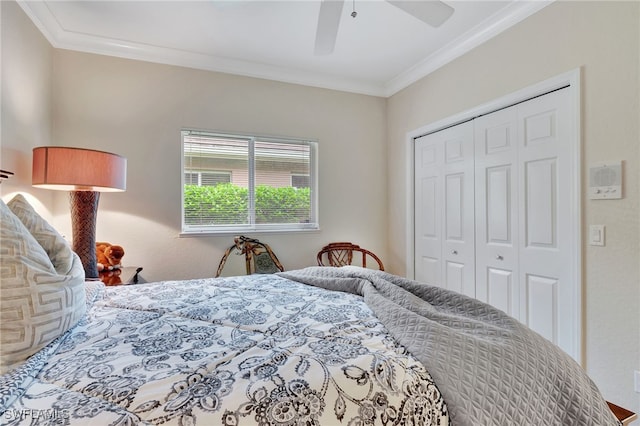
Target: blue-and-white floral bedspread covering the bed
{"type": "Point", "coordinates": [233, 351]}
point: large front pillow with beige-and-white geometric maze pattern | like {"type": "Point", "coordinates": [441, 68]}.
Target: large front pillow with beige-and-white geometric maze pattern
{"type": "Point", "coordinates": [37, 304]}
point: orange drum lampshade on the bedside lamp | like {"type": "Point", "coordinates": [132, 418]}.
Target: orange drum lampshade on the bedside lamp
{"type": "Point", "coordinates": [78, 169]}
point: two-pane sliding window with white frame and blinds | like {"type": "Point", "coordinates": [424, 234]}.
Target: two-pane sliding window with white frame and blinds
{"type": "Point", "coordinates": [237, 183]}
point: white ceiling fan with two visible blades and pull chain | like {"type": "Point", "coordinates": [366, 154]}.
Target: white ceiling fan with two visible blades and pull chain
{"type": "Point", "coordinates": [431, 12]}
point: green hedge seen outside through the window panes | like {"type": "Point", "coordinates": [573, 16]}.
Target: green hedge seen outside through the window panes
{"type": "Point", "coordinates": [227, 204]}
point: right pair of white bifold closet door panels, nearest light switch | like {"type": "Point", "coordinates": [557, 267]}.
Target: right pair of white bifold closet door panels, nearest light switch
{"type": "Point", "coordinates": [525, 193]}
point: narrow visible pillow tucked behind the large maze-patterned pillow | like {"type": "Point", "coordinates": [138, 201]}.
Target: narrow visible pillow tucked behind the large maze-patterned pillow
{"type": "Point", "coordinates": [52, 242]}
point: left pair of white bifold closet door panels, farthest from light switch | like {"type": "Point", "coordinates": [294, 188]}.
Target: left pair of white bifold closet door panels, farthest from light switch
{"type": "Point", "coordinates": [444, 238]}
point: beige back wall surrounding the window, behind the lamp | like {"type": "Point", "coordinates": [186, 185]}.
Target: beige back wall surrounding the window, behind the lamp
{"type": "Point", "coordinates": [137, 109]}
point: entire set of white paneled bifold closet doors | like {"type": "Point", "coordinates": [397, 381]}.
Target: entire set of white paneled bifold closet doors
{"type": "Point", "coordinates": [495, 213]}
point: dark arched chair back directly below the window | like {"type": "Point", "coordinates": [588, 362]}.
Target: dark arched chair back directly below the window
{"type": "Point", "coordinates": [259, 257]}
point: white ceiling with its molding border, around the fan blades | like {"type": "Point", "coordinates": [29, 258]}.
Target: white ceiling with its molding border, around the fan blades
{"type": "Point", "coordinates": [379, 52]}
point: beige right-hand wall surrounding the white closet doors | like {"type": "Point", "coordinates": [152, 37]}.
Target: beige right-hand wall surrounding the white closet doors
{"type": "Point", "coordinates": [603, 39]}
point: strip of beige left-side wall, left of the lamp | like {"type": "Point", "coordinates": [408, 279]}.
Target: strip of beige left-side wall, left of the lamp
{"type": "Point", "coordinates": [25, 119]}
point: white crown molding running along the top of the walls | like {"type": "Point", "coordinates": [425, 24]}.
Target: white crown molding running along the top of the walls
{"type": "Point", "coordinates": [44, 20]}
